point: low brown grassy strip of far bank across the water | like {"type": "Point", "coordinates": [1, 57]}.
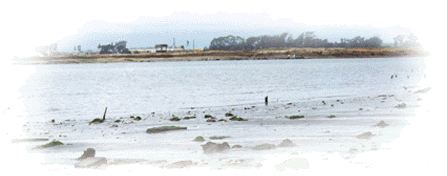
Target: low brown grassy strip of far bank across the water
{"type": "Point", "coordinates": [265, 54]}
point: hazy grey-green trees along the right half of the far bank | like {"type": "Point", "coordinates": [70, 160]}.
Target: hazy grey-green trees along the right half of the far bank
{"type": "Point", "coordinates": [305, 40]}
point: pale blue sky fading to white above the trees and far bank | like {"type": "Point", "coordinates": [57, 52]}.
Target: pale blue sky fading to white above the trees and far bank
{"type": "Point", "coordinates": [144, 23]}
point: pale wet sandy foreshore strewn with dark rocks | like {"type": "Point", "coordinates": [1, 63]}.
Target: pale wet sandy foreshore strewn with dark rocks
{"type": "Point", "coordinates": [322, 144]}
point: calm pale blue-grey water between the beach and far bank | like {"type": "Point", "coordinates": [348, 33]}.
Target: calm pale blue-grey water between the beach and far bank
{"type": "Point", "coordinates": [82, 91]}
